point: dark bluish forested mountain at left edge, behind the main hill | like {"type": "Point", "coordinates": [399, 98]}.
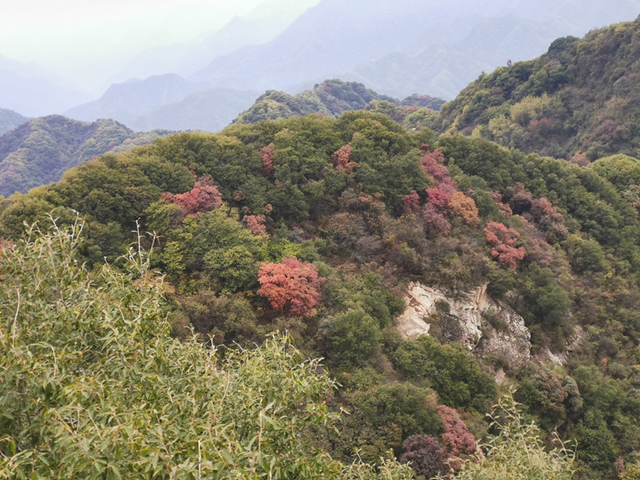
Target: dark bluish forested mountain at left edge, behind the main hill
{"type": "Point", "coordinates": [41, 150]}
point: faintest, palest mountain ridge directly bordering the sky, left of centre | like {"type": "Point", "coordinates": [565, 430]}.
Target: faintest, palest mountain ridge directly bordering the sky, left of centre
{"type": "Point", "coordinates": [264, 23]}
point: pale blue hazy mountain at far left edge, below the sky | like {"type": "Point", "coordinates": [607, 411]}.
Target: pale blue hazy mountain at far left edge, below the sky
{"type": "Point", "coordinates": [32, 91]}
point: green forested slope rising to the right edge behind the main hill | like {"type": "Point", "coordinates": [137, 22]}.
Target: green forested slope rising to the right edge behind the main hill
{"type": "Point", "coordinates": [580, 98]}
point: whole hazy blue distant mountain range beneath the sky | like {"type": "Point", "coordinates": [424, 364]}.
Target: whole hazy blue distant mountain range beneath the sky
{"type": "Point", "coordinates": [395, 47]}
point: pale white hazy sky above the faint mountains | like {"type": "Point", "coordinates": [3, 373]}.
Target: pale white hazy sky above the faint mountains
{"type": "Point", "coordinates": [96, 36]}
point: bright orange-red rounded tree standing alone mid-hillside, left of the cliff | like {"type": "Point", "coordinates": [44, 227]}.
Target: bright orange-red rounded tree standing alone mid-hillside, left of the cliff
{"type": "Point", "coordinates": [292, 287]}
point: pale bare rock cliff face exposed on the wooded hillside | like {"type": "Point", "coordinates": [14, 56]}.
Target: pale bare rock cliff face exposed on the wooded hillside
{"type": "Point", "coordinates": [490, 331]}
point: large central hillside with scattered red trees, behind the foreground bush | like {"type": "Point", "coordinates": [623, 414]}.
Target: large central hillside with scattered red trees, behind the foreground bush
{"type": "Point", "coordinates": [319, 226]}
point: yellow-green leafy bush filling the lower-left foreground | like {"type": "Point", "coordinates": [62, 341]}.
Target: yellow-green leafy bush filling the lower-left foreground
{"type": "Point", "coordinates": [93, 386]}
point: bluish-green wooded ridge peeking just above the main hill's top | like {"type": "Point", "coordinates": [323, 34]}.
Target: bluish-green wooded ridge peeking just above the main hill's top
{"type": "Point", "coordinates": [331, 98]}
